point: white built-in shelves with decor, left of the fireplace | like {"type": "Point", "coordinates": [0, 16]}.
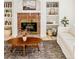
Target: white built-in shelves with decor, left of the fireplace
{"type": "Point", "coordinates": [8, 15]}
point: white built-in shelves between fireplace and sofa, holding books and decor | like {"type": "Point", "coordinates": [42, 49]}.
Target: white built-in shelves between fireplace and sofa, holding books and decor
{"type": "Point", "coordinates": [52, 17]}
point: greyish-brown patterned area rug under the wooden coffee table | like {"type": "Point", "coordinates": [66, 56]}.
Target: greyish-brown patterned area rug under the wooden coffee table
{"type": "Point", "coordinates": [48, 50]}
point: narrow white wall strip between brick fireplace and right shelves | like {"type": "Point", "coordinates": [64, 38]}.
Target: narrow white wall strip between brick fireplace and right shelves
{"type": "Point", "coordinates": [43, 18]}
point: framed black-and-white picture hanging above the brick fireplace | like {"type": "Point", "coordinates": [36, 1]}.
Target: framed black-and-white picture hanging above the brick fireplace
{"type": "Point", "coordinates": [29, 4]}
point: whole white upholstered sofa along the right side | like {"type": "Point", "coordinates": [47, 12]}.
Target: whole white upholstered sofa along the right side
{"type": "Point", "coordinates": [66, 41]}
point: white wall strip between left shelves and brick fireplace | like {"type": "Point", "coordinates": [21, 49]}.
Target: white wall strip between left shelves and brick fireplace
{"type": "Point", "coordinates": [16, 8]}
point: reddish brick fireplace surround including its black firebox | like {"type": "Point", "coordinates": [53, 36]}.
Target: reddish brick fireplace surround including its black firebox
{"type": "Point", "coordinates": [29, 22]}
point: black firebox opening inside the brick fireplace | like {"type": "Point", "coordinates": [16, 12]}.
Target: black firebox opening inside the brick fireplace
{"type": "Point", "coordinates": [32, 27]}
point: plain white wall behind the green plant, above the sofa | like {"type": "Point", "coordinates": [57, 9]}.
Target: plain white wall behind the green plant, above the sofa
{"type": "Point", "coordinates": [67, 8]}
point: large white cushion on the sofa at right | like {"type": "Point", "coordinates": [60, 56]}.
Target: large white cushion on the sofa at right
{"type": "Point", "coordinates": [68, 41]}
